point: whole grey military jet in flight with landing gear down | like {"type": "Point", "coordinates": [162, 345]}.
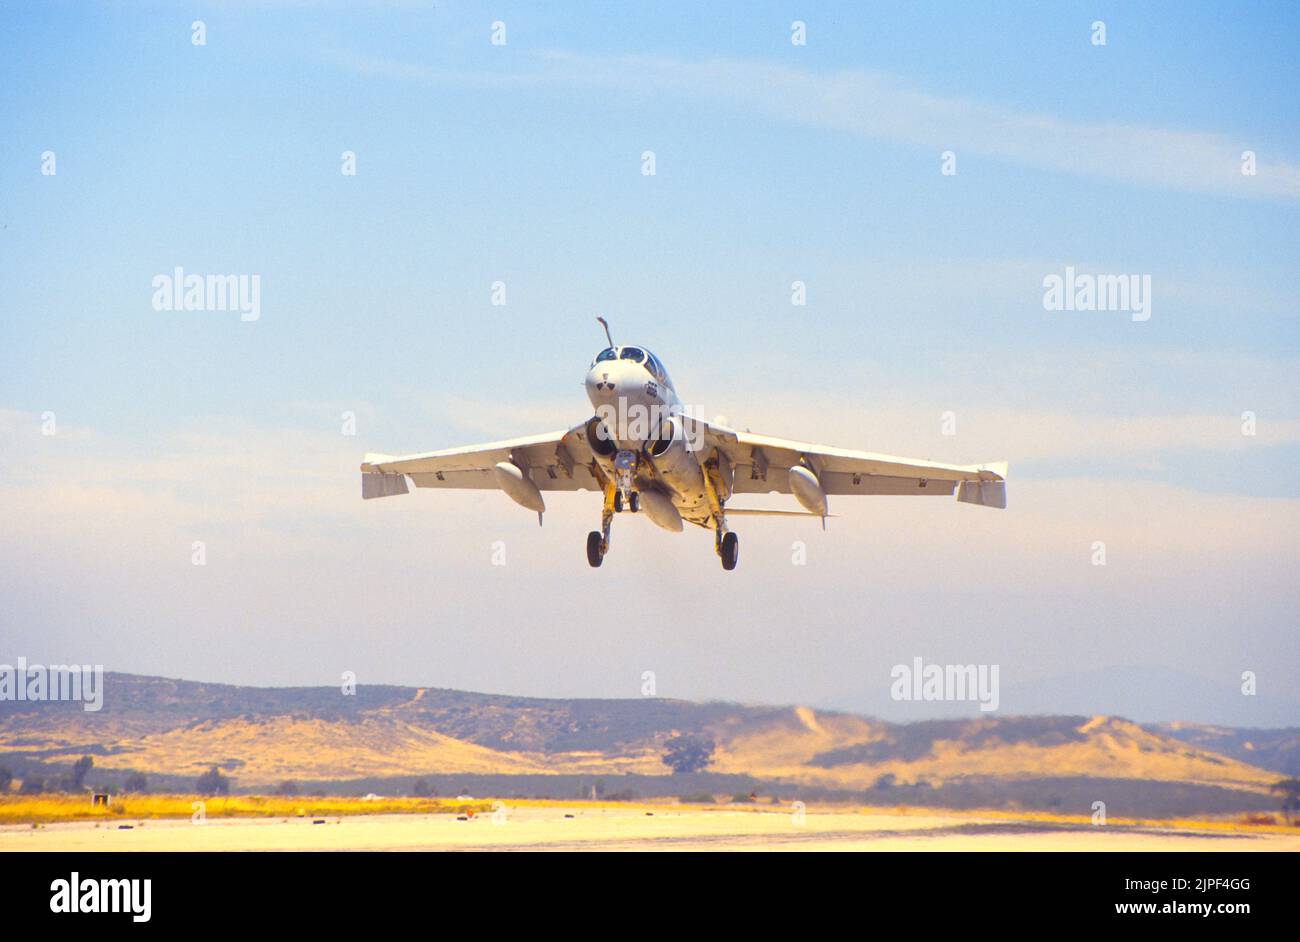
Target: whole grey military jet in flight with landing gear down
{"type": "Point", "coordinates": [644, 454]}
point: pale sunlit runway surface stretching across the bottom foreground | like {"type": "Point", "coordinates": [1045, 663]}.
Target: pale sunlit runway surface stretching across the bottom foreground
{"type": "Point", "coordinates": [645, 830]}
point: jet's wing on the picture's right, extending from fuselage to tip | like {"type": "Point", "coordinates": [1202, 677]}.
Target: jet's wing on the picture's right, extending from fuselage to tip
{"type": "Point", "coordinates": [762, 466]}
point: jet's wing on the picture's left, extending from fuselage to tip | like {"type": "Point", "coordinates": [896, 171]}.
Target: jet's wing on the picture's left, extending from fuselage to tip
{"type": "Point", "coordinates": [554, 462]}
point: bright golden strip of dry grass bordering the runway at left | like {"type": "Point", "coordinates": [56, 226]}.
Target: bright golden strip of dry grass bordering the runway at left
{"type": "Point", "coordinates": [46, 809]}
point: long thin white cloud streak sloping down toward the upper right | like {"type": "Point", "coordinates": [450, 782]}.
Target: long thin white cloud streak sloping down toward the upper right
{"type": "Point", "coordinates": [882, 107]}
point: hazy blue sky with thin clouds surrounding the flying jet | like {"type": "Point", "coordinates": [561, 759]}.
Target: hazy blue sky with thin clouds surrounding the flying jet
{"type": "Point", "coordinates": [774, 163]}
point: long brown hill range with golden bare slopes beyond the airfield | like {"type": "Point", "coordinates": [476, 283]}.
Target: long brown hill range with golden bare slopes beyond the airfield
{"type": "Point", "coordinates": [263, 736]}
